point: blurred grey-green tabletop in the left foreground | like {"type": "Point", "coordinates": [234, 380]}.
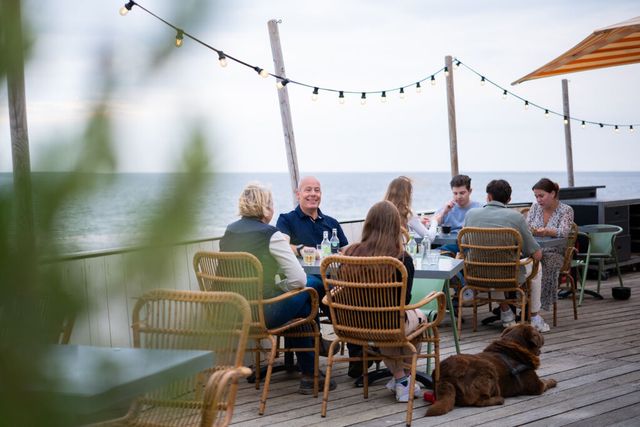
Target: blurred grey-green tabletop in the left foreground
{"type": "Point", "coordinates": [83, 380]}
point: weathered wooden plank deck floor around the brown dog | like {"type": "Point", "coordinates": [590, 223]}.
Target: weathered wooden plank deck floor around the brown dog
{"type": "Point", "coordinates": [596, 361]}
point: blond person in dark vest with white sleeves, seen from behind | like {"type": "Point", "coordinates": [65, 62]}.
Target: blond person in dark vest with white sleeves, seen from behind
{"type": "Point", "coordinates": [252, 233]}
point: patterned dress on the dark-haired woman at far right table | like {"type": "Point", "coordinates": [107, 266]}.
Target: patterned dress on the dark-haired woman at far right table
{"type": "Point", "coordinates": [552, 258]}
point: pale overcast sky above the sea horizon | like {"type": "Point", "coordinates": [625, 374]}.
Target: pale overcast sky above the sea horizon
{"type": "Point", "coordinates": [346, 45]}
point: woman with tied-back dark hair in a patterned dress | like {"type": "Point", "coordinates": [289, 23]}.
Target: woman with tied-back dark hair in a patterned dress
{"type": "Point", "coordinates": [549, 217]}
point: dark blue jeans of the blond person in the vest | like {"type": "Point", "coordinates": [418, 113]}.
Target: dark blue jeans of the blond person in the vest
{"type": "Point", "coordinates": [284, 311]}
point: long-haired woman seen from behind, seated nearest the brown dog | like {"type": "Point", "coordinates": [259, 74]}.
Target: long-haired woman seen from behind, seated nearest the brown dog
{"type": "Point", "coordinates": [382, 236]}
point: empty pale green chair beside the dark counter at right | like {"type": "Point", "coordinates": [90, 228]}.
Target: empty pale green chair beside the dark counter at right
{"type": "Point", "coordinates": [601, 247]}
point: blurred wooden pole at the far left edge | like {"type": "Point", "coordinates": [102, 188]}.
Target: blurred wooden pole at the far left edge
{"type": "Point", "coordinates": [13, 48]}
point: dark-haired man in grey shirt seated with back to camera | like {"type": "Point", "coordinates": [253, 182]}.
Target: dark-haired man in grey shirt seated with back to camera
{"type": "Point", "coordinates": [496, 214]}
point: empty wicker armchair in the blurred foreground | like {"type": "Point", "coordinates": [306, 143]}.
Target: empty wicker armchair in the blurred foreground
{"type": "Point", "coordinates": [170, 319]}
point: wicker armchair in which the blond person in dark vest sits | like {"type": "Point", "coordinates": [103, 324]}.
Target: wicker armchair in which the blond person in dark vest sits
{"type": "Point", "coordinates": [241, 272]}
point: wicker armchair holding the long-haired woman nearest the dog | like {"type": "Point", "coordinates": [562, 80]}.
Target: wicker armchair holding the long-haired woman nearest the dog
{"type": "Point", "coordinates": [366, 299]}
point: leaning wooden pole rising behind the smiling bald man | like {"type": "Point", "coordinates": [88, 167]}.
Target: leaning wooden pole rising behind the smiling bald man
{"type": "Point", "coordinates": [285, 110]}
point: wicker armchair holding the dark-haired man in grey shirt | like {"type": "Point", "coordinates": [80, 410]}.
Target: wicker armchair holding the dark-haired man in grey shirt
{"type": "Point", "coordinates": [492, 264]}
